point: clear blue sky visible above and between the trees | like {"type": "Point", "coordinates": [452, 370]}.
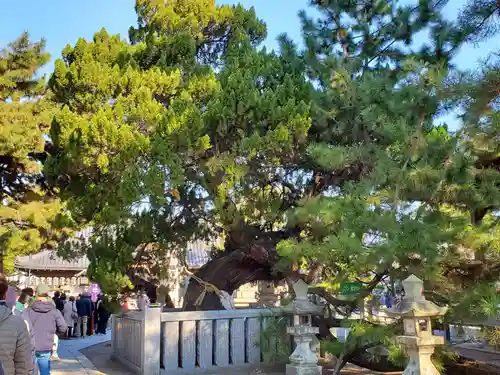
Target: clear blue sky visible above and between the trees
{"type": "Point", "coordinates": [63, 22]}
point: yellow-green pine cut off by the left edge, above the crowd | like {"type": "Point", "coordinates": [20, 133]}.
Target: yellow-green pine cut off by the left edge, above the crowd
{"type": "Point", "coordinates": [29, 213]}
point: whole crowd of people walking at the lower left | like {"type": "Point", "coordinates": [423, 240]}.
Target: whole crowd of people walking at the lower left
{"type": "Point", "coordinates": [32, 322]}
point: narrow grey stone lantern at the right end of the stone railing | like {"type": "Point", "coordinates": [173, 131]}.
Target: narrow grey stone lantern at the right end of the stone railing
{"type": "Point", "coordinates": [303, 360]}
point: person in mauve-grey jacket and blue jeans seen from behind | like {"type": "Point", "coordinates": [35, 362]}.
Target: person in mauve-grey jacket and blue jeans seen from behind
{"type": "Point", "coordinates": [45, 321]}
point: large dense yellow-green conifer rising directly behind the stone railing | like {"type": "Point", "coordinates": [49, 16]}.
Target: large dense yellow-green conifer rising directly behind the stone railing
{"type": "Point", "coordinates": [180, 133]}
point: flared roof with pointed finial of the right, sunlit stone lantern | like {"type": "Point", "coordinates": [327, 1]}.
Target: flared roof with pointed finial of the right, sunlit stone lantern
{"type": "Point", "coordinates": [414, 304]}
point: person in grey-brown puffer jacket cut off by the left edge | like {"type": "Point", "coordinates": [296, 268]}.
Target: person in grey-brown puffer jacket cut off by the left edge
{"type": "Point", "coordinates": [15, 345]}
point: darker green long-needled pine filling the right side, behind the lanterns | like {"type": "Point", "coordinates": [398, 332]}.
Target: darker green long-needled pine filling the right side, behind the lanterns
{"type": "Point", "coordinates": [408, 196]}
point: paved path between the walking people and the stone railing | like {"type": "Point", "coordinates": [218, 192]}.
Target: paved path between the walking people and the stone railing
{"type": "Point", "coordinates": [72, 361]}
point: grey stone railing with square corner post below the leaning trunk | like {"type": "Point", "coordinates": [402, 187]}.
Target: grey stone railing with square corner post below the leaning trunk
{"type": "Point", "coordinates": [151, 342]}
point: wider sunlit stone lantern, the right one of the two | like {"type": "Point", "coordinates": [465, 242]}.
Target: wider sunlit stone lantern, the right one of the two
{"type": "Point", "coordinates": [418, 339]}
